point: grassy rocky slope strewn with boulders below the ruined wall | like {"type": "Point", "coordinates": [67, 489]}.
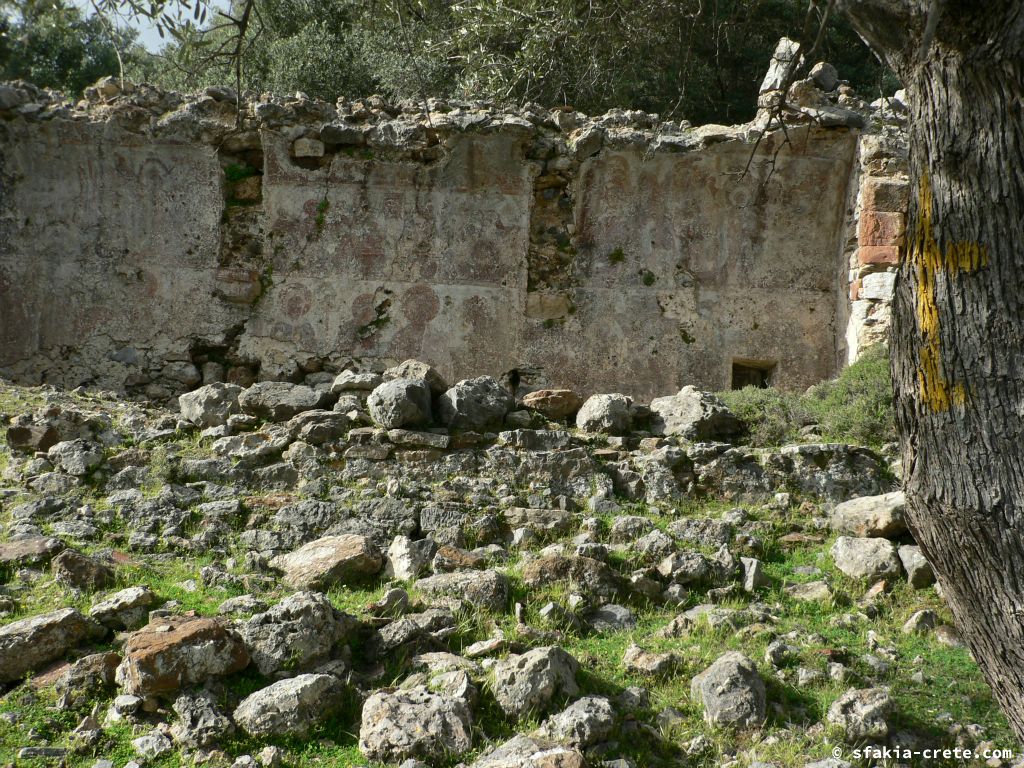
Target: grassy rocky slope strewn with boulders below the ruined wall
{"type": "Point", "coordinates": [375, 569]}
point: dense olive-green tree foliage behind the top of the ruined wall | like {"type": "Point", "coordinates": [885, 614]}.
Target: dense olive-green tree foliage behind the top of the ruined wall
{"type": "Point", "coordinates": [688, 59]}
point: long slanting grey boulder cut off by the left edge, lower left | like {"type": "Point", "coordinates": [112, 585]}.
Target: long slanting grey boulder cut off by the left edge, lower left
{"type": "Point", "coordinates": [30, 644]}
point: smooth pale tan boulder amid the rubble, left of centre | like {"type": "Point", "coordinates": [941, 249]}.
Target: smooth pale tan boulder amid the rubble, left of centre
{"type": "Point", "coordinates": [330, 561]}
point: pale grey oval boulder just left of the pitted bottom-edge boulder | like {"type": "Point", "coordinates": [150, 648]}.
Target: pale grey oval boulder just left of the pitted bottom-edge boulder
{"type": "Point", "coordinates": [289, 708]}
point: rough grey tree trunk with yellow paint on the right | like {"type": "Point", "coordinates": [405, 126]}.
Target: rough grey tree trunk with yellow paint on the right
{"type": "Point", "coordinates": [958, 340]}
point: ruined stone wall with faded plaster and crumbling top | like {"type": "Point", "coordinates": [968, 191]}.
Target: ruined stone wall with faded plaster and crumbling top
{"type": "Point", "coordinates": [152, 242]}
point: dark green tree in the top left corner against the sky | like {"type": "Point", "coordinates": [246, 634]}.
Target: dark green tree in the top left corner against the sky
{"type": "Point", "coordinates": [55, 46]}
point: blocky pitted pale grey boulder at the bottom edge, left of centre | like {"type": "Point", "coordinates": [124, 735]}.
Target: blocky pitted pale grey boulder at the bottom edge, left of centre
{"type": "Point", "coordinates": [414, 723]}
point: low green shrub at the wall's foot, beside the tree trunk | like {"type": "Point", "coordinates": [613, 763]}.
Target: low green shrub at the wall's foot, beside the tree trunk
{"type": "Point", "coordinates": [855, 408]}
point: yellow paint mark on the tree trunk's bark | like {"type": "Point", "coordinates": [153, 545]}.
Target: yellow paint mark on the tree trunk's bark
{"type": "Point", "coordinates": [935, 391]}
